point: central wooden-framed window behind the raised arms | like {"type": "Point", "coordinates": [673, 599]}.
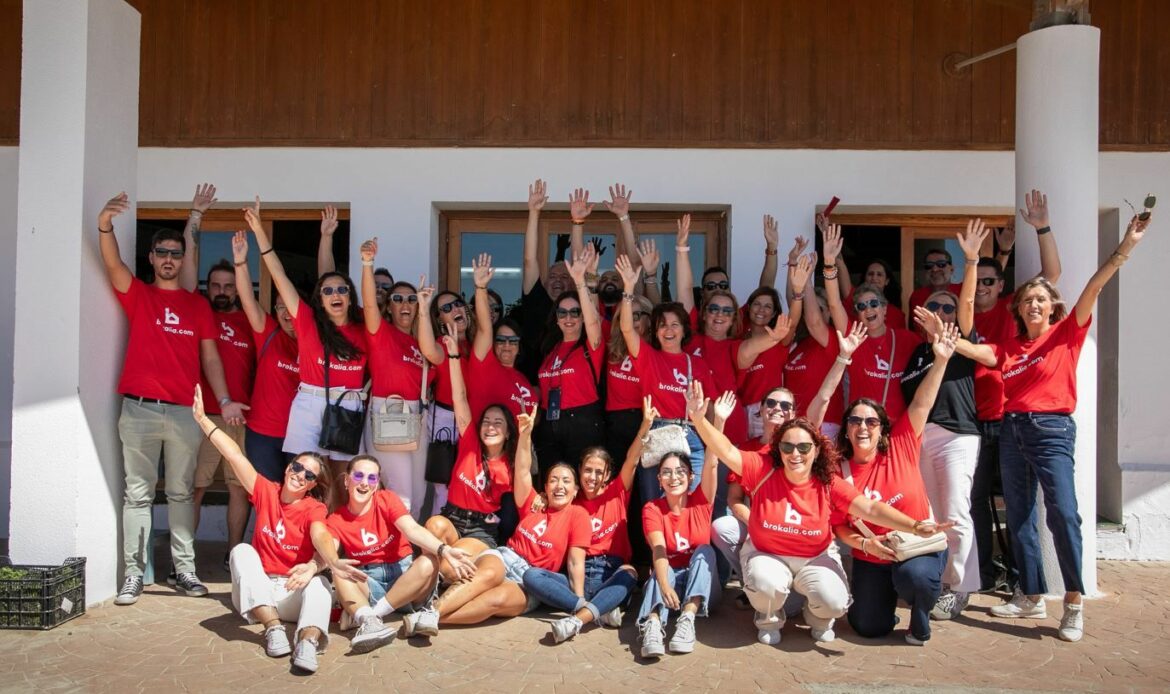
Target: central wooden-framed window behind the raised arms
{"type": "Point", "coordinates": [465, 235]}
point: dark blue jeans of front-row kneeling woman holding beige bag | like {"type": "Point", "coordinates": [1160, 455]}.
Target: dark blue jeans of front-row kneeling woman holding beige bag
{"type": "Point", "coordinates": [877, 589]}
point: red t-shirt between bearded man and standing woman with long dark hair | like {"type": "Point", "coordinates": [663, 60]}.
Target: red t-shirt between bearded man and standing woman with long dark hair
{"type": "Point", "coordinates": [278, 375]}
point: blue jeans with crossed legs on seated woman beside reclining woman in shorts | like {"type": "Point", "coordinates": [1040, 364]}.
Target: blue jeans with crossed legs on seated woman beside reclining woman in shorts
{"type": "Point", "coordinates": [605, 587]}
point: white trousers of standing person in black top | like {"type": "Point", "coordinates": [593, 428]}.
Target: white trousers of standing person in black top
{"type": "Point", "coordinates": [948, 465]}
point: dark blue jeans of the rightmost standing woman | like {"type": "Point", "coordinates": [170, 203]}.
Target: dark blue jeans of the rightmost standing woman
{"type": "Point", "coordinates": [1036, 448]}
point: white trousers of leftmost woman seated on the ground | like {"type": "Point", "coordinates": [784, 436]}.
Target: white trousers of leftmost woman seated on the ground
{"type": "Point", "coordinates": [253, 588]}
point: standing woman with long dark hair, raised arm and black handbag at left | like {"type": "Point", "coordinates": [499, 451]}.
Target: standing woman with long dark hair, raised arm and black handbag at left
{"type": "Point", "coordinates": [329, 329]}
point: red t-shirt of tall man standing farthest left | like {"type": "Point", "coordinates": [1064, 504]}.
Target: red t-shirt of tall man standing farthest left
{"type": "Point", "coordinates": [167, 327]}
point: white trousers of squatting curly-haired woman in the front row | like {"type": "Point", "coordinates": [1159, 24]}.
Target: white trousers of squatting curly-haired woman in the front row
{"type": "Point", "coordinates": [770, 579]}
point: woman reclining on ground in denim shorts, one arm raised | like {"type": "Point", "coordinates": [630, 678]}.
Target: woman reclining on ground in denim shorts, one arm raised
{"type": "Point", "coordinates": [545, 540]}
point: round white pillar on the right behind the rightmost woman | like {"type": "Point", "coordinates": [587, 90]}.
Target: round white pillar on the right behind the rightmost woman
{"type": "Point", "coordinates": [1057, 153]}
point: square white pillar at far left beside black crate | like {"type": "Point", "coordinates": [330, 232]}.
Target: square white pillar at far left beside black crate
{"type": "Point", "coordinates": [79, 147]}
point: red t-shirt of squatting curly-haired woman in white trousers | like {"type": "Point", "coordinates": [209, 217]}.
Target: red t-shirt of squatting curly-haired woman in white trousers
{"type": "Point", "coordinates": [793, 520]}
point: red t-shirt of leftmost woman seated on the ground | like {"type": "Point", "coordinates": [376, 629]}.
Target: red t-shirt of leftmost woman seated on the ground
{"type": "Point", "coordinates": [281, 534]}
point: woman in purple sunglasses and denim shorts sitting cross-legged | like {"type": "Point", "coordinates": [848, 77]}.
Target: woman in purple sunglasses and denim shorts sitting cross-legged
{"type": "Point", "coordinates": [376, 531]}
